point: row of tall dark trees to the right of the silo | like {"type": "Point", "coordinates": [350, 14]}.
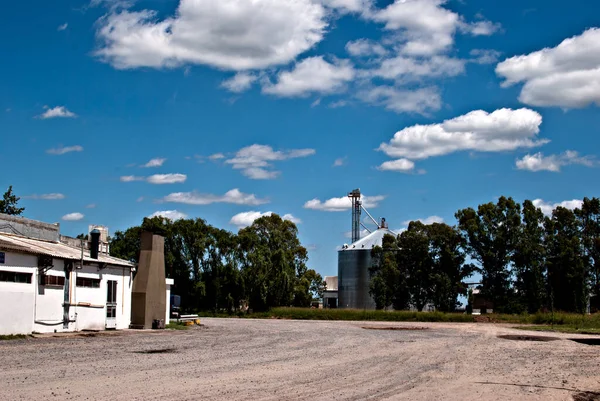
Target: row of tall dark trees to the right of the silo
{"type": "Point", "coordinates": [528, 262]}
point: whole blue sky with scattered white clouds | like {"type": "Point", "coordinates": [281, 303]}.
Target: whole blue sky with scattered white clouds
{"type": "Point", "coordinates": [241, 106]}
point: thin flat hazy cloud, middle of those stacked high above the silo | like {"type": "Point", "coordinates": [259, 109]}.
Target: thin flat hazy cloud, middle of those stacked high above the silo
{"type": "Point", "coordinates": [409, 68]}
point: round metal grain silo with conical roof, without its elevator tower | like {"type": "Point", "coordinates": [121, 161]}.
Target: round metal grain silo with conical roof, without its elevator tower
{"type": "Point", "coordinates": [354, 261]}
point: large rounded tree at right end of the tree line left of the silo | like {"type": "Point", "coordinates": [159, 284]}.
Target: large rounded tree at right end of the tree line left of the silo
{"type": "Point", "coordinates": [273, 260]}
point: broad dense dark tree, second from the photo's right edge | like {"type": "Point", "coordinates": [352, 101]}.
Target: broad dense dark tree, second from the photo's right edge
{"type": "Point", "coordinates": [567, 273]}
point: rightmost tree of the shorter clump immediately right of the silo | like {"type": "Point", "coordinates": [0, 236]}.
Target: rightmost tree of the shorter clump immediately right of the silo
{"type": "Point", "coordinates": [449, 268]}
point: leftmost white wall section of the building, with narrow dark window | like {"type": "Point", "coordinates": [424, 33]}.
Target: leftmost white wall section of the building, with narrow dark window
{"type": "Point", "coordinates": [16, 299]}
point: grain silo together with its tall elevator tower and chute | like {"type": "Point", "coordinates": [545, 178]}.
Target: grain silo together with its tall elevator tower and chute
{"type": "Point", "coordinates": [354, 260]}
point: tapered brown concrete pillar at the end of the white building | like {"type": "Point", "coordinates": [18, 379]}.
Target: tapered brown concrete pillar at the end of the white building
{"type": "Point", "coordinates": [148, 298]}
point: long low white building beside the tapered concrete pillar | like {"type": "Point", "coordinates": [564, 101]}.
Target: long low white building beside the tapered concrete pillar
{"type": "Point", "coordinates": [49, 285]}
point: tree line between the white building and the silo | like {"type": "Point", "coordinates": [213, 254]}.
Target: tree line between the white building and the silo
{"type": "Point", "coordinates": [263, 266]}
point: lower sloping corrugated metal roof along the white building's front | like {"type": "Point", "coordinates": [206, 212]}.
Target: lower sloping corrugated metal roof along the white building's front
{"type": "Point", "coordinates": [55, 249]}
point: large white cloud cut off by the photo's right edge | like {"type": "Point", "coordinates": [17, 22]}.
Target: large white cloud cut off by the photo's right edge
{"type": "Point", "coordinates": [567, 75]}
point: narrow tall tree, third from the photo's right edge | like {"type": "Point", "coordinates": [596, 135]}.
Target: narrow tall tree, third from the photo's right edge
{"type": "Point", "coordinates": [530, 260]}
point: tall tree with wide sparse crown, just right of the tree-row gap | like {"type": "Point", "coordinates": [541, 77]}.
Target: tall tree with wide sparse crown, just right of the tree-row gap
{"type": "Point", "coordinates": [492, 233]}
